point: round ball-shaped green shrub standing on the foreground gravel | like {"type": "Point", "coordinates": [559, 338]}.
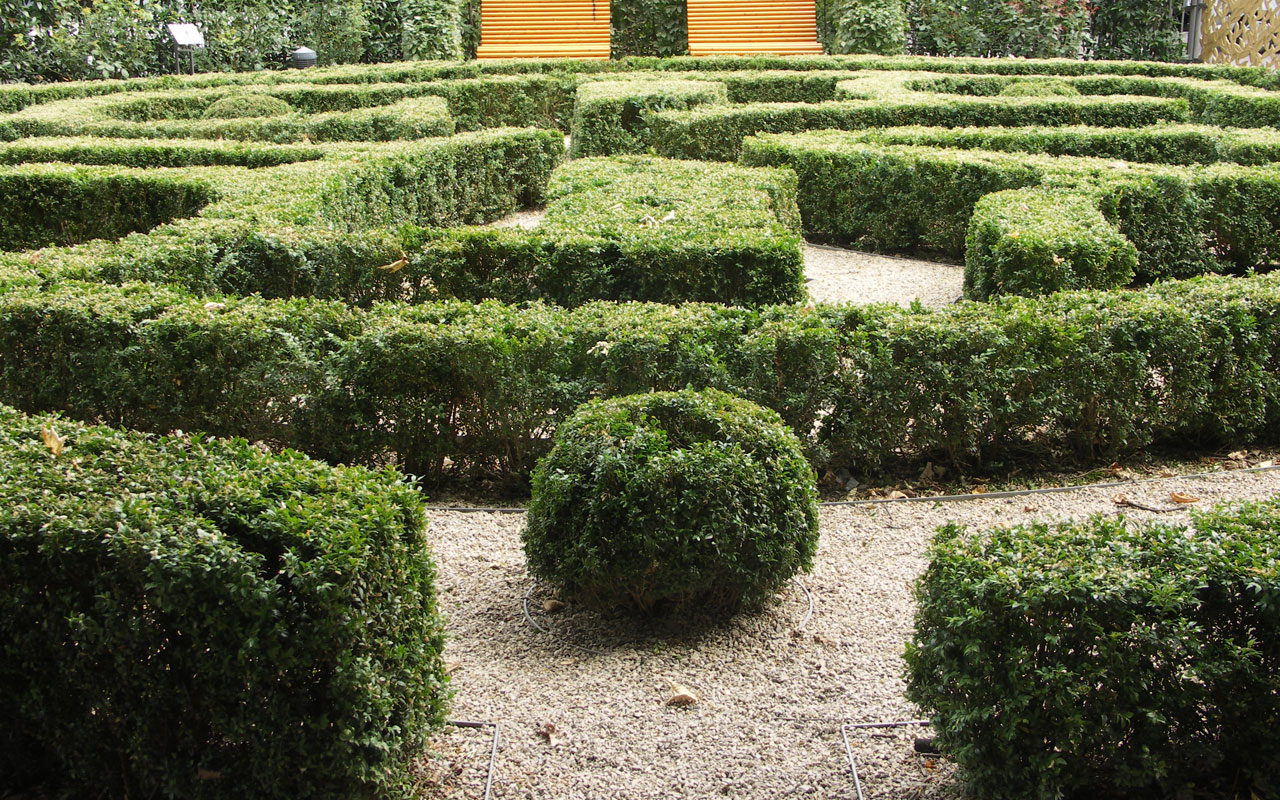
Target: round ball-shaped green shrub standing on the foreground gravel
{"type": "Point", "coordinates": [660, 502]}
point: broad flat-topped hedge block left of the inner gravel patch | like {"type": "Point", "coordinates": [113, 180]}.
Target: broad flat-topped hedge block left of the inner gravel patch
{"type": "Point", "coordinates": [652, 230]}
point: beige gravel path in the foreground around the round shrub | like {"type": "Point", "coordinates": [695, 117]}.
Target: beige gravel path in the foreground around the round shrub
{"type": "Point", "coordinates": [772, 697]}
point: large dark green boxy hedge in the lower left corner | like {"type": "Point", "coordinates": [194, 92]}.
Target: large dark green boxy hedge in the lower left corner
{"type": "Point", "coordinates": [196, 618]}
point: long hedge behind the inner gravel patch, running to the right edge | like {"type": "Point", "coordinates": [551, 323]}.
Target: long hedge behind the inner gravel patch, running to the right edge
{"type": "Point", "coordinates": [894, 198]}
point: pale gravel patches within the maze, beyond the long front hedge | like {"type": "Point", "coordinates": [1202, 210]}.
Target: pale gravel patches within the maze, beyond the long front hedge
{"type": "Point", "coordinates": [842, 276]}
